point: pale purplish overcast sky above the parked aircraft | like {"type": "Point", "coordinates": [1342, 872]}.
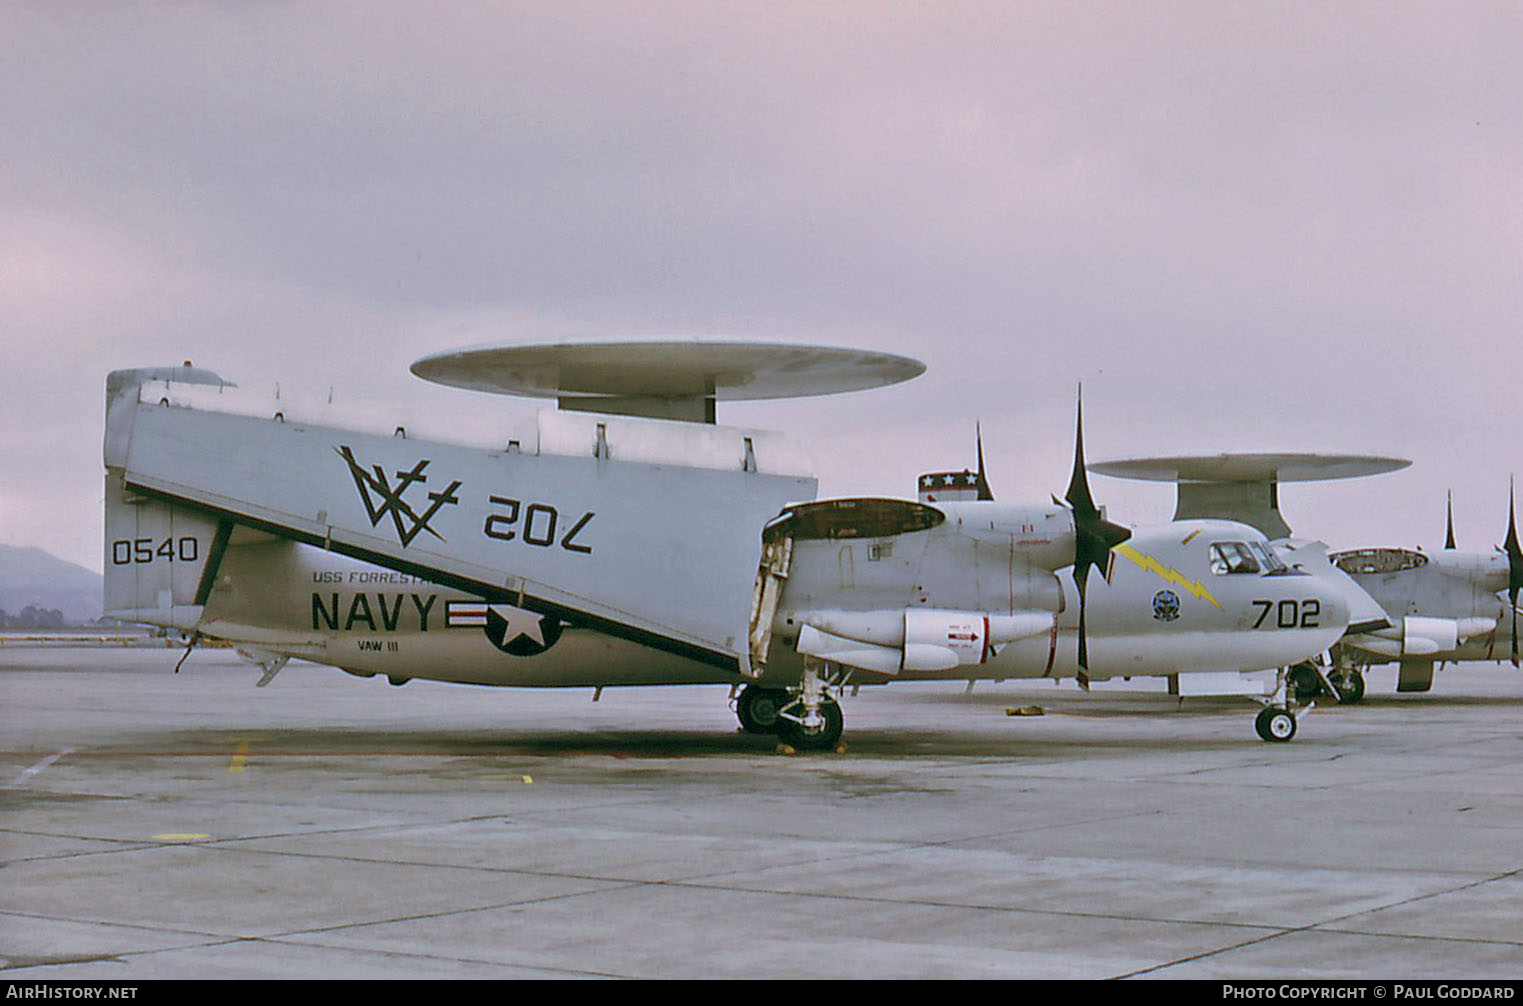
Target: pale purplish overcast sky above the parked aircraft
{"type": "Point", "coordinates": [1242, 226]}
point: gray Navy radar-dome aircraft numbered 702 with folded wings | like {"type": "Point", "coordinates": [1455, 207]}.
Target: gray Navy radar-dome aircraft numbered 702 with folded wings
{"type": "Point", "coordinates": [627, 540]}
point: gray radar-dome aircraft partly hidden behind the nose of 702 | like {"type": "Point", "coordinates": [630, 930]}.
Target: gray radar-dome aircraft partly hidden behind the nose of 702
{"type": "Point", "coordinates": [1411, 608]}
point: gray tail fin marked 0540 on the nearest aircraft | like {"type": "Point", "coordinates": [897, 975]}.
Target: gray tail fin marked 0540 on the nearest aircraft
{"type": "Point", "coordinates": [161, 559]}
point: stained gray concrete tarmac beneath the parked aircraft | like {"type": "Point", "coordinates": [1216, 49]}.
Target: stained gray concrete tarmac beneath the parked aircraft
{"type": "Point", "coordinates": [325, 827]}
